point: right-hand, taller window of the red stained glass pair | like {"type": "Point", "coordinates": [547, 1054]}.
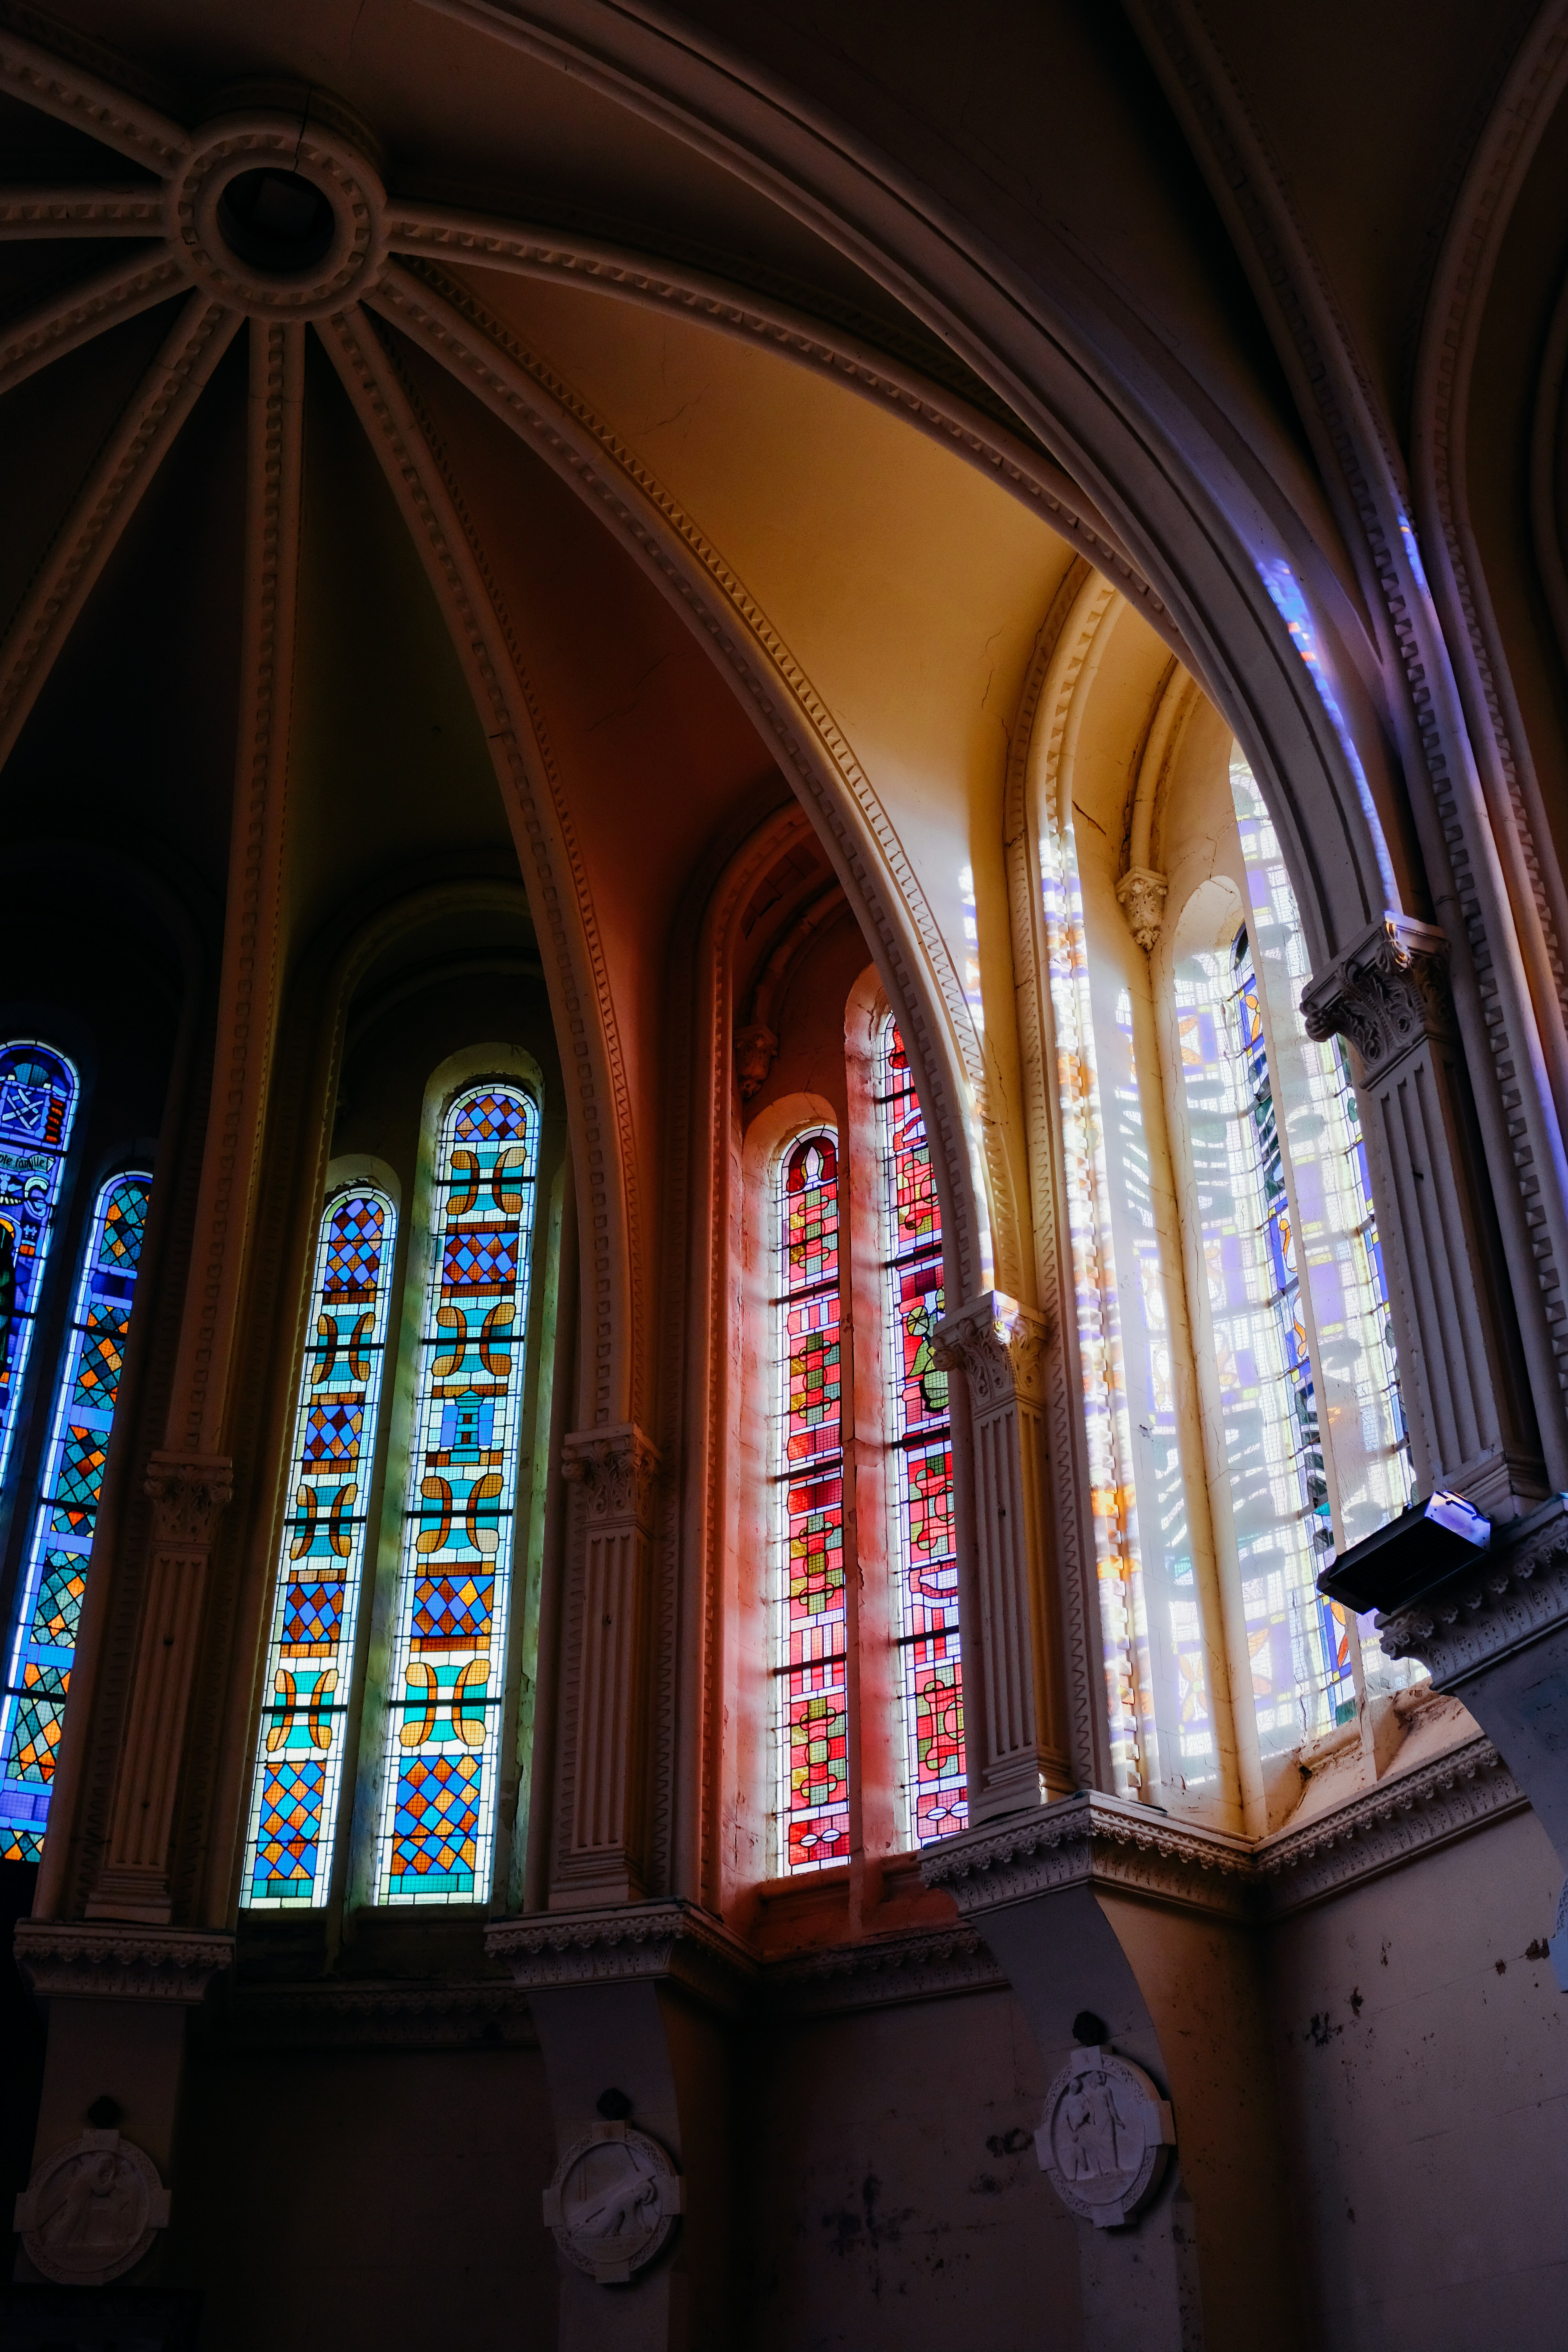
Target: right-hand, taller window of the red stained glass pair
{"type": "Point", "coordinates": [920, 1471]}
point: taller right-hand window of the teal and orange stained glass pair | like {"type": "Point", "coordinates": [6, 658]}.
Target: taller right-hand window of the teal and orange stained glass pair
{"type": "Point", "coordinates": [438, 1810]}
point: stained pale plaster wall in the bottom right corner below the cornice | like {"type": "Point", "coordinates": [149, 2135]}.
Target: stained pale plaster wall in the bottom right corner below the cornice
{"type": "Point", "coordinates": [1423, 2064]}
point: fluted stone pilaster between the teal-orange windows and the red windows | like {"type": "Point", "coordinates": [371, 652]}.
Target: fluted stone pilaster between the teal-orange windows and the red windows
{"type": "Point", "coordinates": [603, 1711]}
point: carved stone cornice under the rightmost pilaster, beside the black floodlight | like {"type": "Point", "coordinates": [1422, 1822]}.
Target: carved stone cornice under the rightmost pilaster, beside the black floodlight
{"type": "Point", "coordinates": [1517, 1593]}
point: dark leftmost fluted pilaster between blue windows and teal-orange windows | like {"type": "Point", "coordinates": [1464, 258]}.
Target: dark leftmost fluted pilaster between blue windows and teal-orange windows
{"type": "Point", "coordinates": [189, 1492]}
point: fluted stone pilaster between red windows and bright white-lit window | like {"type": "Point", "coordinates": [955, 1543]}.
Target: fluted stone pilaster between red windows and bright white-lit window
{"type": "Point", "coordinates": [1014, 1706]}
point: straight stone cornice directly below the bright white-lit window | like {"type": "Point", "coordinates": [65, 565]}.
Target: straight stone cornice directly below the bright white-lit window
{"type": "Point", "coordinates": [1402, 1817]}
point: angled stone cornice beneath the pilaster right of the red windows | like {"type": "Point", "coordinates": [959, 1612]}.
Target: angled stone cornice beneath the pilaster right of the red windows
{"type": "Point", "coordinates": [1099, 1843]}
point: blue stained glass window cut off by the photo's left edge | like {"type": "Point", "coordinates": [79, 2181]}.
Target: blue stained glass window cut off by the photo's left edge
{"type": "Point", "coordinates": [36, 1109]}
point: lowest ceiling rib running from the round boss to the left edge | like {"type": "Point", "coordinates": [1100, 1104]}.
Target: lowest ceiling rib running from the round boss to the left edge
{"type": "Point", "coordinates": [107, 505]}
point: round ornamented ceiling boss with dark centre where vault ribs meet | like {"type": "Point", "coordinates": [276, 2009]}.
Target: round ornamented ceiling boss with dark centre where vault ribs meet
{"type": "Point", "coordinates": [279, 218]}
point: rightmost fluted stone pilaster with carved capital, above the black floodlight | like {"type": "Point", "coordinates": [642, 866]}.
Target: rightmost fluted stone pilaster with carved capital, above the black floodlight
{"type": "Point", "coordinates": [1459, 1344]}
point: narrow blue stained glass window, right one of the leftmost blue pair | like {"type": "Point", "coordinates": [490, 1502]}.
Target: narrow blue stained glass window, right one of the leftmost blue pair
{"type": "Point", "coordinates": [60, 1546]}
